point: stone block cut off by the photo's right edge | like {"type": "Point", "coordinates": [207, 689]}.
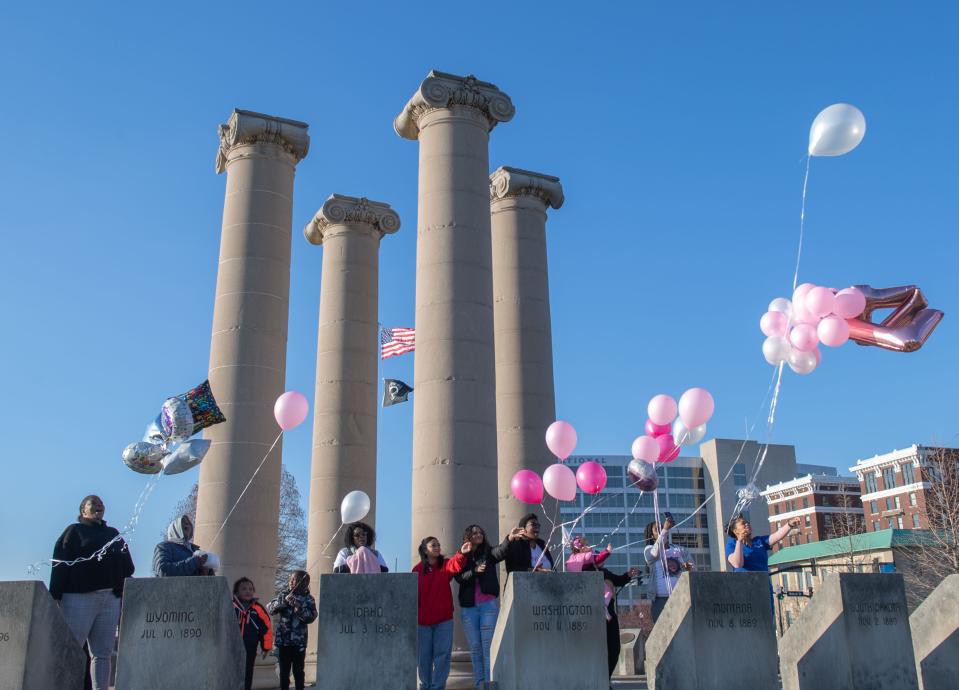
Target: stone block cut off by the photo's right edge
{"type": "Point", "coordinates": [935, 637]}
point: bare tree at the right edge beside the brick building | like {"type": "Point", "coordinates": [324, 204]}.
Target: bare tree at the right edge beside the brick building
{"type": "Point", "coordinates": [935, 555]}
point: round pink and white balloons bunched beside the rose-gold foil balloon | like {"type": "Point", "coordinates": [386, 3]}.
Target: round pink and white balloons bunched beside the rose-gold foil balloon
{"type": "Point", "coordinates": [794, 329]}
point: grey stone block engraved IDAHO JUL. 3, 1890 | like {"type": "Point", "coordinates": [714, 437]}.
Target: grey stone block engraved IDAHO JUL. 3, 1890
{"type": "Point", "coordinates": [366, 637]}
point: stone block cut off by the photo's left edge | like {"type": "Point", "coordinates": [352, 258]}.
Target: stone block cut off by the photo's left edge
{"type": "Point", "coordinates": [37, 649]}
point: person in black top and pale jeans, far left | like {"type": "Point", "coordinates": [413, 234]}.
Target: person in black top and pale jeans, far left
{"type": "Point", "coordinates": [89, 591]}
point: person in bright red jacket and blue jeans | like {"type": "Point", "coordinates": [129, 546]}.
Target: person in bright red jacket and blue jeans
{"type": "Point", "coordinates": [435, 612]}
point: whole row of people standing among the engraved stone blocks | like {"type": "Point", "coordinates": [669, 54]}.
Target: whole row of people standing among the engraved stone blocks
{"type": "Point", "coordinates": [89, 589]}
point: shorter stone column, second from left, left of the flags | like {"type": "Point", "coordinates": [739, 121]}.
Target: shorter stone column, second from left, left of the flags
{"type": "Point", "coordinates": [344, 409]}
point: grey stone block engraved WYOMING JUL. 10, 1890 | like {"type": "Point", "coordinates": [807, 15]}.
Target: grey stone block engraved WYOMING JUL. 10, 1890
{"type": "Point", "coordinates": [179, 633]}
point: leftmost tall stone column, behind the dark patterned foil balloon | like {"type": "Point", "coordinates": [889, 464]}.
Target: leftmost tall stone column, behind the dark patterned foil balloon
{"type": "Point", "coordinates": [248, 347]}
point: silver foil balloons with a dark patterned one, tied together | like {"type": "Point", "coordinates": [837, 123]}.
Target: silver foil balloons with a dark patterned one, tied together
{"type": "Point", "coordinates": [166, 446]}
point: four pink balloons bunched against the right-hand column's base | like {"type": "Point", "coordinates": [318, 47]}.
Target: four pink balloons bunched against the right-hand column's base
{"type": "Point", "coordinates": [558, 480]}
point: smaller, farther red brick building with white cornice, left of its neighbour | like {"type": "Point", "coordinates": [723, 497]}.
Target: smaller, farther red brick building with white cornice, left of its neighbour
{"type": "Point", "coordinates": [827, 504]}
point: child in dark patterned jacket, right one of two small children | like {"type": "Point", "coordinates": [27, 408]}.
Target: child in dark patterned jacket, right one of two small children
{"type": "Point", "coordinates": [295, 608]}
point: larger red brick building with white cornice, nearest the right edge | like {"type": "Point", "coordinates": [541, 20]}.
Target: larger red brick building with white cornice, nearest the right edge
{"type": "Point", "coordinates": [893, 488]}
